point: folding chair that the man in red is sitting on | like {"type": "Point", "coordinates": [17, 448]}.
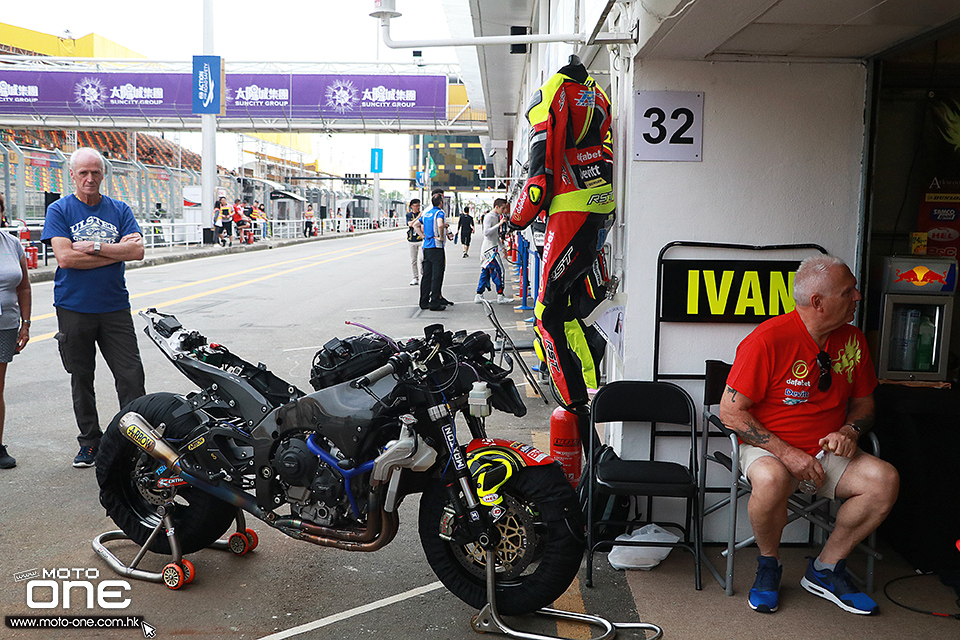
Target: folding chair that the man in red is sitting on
{"type": "Point", "coordinates": [817, 511]}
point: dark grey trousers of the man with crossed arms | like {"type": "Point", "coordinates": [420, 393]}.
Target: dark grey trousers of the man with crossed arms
{"type": "Point", "coordinates": [78, 337]}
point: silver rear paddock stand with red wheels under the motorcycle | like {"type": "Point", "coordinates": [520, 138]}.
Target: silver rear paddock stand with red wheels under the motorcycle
{"type": "Point", "coordinates": [180, 571]}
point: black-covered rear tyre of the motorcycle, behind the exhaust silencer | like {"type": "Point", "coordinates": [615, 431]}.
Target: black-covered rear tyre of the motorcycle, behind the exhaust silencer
{"type": "Point", "coordinates": [199, 518]}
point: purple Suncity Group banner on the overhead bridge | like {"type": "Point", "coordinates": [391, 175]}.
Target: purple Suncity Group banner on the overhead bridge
{"type": "Point", "coordinates": [160, 95]}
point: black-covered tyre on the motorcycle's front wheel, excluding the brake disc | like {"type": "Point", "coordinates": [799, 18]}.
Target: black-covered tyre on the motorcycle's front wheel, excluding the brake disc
{"type": "Point", "coordinates": [559, 552]}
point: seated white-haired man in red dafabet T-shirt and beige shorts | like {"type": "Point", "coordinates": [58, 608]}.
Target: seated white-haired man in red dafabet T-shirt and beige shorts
{"type": "Point", "coordinates": [802, 383]}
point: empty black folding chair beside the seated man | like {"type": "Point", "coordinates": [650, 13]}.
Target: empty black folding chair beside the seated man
{"type": "Point", "coordinates": [657, 403]}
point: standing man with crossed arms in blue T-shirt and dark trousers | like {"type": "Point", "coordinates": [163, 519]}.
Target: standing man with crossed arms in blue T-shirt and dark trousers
{"type": "Point", "coordinates": [92, 236]}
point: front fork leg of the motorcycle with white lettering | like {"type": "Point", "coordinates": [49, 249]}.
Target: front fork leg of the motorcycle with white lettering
{"type": "Point", "coordinates": [467, 522]}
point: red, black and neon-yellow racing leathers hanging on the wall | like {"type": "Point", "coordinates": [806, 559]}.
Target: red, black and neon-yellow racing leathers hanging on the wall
{"type": "Point", "coordinates": [570, 181]}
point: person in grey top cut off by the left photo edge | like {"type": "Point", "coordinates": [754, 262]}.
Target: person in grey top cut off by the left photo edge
{"type": "Point", "coordinates": [15, 307]}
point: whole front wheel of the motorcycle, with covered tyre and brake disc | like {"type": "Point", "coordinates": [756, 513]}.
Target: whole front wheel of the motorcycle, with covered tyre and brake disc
{"type": "Point", "coordinates": [537, 558]}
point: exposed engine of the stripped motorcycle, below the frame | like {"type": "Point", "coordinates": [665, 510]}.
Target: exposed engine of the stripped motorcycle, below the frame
{"type": "Point", "coordinates": [314, 491]}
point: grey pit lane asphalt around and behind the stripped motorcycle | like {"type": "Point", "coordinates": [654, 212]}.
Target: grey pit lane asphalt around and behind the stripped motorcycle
{"type": "Point", "coordinates": [277, 307]}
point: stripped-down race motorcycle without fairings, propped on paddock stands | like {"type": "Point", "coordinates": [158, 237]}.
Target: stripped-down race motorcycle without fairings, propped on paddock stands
{"type": "Point", "coordinates": [331, 467]}
